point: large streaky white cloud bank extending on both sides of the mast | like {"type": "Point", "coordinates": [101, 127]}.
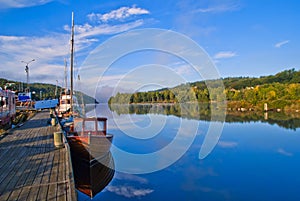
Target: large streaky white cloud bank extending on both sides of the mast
{"type": "Point", "coordinates": [50, 50]}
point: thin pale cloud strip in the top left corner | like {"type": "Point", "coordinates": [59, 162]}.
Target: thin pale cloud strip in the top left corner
{"type": "Point", "coordinates": [22, 3]}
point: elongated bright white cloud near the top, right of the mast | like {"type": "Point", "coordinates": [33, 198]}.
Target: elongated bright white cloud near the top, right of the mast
{"type": "Point", "coordinates": [119, 14]}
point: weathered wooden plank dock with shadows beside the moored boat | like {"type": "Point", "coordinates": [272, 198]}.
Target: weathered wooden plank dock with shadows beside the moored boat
{"type": "Point", "coordinates": [31, 168]}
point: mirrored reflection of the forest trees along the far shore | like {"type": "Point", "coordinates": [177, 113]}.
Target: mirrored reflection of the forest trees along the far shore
{"type": "Point", "coordinates": [203, 112]}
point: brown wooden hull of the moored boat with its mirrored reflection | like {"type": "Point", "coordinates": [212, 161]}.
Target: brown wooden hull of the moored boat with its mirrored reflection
{"type": "Point", "coordinates": [93, 165]}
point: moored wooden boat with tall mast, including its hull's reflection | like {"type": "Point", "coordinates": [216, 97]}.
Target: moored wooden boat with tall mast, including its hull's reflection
{"type": "Point", "coordinates": [89, 142]}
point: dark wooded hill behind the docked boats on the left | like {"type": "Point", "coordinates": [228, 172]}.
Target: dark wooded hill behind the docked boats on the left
{"type": "Point", "coordinates": [42, 90]}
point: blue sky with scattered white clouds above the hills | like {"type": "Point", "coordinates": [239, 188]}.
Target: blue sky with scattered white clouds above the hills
{"type": "Point", "coordinates": [242, 37]}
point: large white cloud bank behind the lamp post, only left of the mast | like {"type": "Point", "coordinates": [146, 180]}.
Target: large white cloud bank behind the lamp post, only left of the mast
{"type": "Point", "coordinates": [47, 52]}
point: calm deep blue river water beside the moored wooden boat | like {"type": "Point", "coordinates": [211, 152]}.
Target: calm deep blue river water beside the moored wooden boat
{"type": "Point", "coordinates": [252, 160]}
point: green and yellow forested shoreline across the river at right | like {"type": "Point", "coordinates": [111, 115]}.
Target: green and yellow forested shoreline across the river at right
{"type": "Point", "coordinates": [280, 91]}
